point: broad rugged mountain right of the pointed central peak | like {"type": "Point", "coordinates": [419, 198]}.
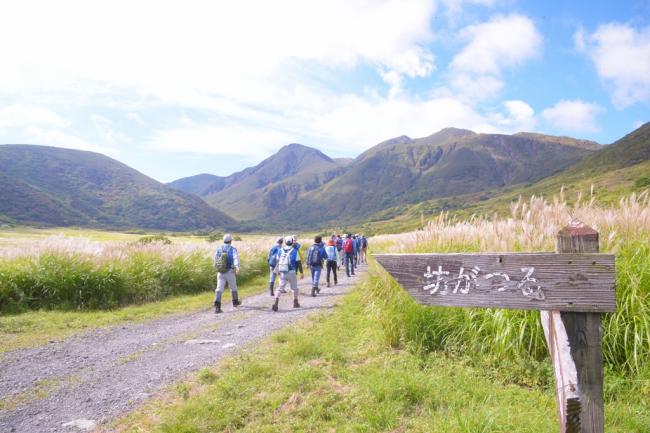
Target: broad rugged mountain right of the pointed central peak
{"type": "Point", "coordinates": [452, 162]}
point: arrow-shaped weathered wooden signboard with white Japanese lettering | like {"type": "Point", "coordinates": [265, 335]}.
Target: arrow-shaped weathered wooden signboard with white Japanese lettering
{"type": "Point", "coordinates": [559, 282]}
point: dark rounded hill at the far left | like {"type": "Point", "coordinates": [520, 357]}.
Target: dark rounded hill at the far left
{"type": "Point", "coordinates": [63, 187]}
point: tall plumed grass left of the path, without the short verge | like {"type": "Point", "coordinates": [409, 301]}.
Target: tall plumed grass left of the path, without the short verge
{"type": "Point", "coordinates": [76, 273]}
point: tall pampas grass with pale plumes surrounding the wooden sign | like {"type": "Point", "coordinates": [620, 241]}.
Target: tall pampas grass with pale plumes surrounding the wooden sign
{"type": "Point", "coordinates": [515, 339]}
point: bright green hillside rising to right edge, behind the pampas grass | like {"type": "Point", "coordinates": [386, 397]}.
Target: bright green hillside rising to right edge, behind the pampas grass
{"type": "Point", "coordinates": [610, 173]}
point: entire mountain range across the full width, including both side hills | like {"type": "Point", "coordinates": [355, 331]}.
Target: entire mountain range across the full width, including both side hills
{"type": "Point", "coordinates": [390, 185]}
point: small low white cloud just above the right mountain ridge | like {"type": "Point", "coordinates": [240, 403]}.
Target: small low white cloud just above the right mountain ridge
{"type": "Point", "coordinates": [573, 116]}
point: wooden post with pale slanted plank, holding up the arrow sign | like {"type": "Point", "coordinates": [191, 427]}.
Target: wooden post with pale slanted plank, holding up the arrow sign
{"type": "Point", "coordinates": [575, 341]}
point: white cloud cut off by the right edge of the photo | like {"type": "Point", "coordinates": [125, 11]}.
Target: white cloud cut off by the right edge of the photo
{"type": "Point", "coordinates": [621, 55]}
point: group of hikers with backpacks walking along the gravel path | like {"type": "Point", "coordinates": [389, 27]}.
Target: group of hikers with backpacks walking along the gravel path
{"type": "Point", "coordinates": [285, 261]}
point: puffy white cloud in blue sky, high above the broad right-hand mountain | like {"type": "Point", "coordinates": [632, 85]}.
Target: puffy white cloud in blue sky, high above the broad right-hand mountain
{"type": "Point", "coordinates": [500, 43]}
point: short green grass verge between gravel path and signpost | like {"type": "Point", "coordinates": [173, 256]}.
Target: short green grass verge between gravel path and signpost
{"type": "Point", "coordinates": [337, 373]}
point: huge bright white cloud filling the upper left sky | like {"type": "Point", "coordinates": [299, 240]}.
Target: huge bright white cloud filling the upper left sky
{"type": "Point", "coordinates": [172, 50]}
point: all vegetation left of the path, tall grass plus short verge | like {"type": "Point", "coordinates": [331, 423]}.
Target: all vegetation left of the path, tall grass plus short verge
{"type": "Point", "coordinates": [56, 285]}
